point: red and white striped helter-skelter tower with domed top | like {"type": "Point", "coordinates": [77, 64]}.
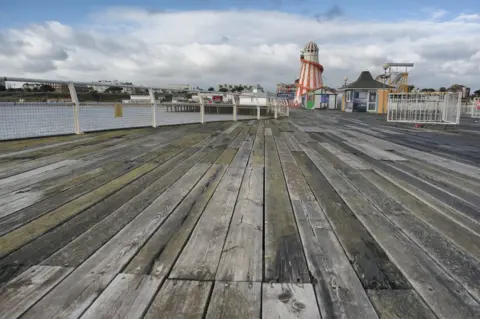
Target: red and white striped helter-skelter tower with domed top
{"type": "Point", "coordinates": [310, 72]}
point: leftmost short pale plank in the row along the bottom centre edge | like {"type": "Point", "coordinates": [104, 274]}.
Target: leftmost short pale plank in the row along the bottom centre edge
{"type": "Point", "coordinates": [127, 297]}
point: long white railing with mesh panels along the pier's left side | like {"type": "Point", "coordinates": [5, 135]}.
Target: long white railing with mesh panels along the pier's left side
{"type": "Point", "coordinates": [33, 119]}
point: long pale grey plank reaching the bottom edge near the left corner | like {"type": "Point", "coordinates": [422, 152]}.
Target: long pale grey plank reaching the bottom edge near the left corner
{"type": "Point", "coordinates": [76, 293]}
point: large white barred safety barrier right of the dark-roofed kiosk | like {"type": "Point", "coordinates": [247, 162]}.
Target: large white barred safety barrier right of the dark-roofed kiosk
{"type": "Point", "coordinates": [424, 108]}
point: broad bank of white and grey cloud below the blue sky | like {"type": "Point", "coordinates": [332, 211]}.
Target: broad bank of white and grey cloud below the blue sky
{"type": "Point", "coordinates": [208, 48]}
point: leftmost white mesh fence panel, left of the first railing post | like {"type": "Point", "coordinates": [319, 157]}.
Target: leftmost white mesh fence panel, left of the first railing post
{"type": "Point", "coordinates": [30, 119]}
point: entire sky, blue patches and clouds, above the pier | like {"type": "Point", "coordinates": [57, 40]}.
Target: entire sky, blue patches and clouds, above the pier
{"type": "Point", "coordinates": [209, 42]}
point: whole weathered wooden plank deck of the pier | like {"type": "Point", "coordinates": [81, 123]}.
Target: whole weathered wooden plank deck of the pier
{"type": "Point", "coordinates": [320, 215]}
